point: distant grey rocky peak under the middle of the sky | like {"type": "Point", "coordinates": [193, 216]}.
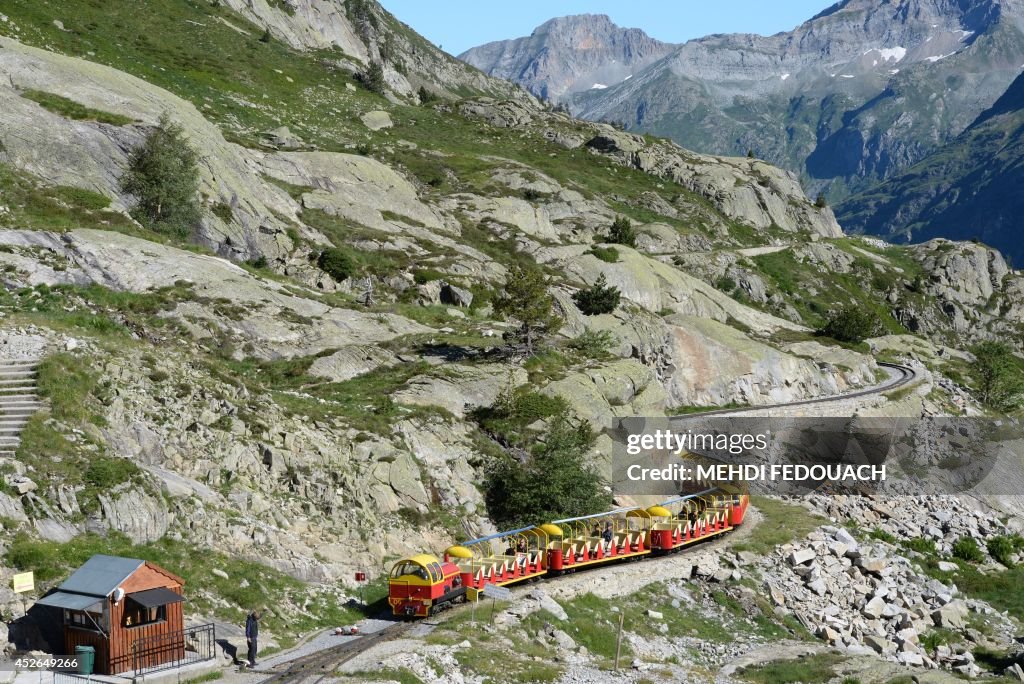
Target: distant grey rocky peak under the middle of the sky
{"type": "Point", "coordinates": [569, 55]}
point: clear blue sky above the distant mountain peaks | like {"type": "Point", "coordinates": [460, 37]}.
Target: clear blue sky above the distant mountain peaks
{"type": "Point", "coordinates": [460, 25]}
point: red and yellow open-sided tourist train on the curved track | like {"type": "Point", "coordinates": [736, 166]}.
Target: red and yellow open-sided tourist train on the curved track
{"type": "Point", "coordinates": [422, 585]}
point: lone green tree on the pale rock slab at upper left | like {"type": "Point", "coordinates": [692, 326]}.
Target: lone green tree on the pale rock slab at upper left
{"type": "Point", "coordinates": [163, 177]}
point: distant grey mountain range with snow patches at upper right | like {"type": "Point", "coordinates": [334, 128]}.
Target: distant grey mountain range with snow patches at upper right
{"type": "Point", "coordinates": [857, 95]}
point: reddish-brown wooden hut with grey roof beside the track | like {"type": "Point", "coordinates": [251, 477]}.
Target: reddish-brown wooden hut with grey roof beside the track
{"type": "Point", "coordinates": [129, 610]}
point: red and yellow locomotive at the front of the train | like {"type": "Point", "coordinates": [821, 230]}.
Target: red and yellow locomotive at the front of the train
{"type": "Point", "coordinates": [421, 585]}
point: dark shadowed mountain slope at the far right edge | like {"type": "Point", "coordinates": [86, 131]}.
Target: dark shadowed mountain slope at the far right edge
{"type": "Point", "coordinates": [967, 190]}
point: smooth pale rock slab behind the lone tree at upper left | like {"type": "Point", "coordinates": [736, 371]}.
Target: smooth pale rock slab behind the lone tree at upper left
{"type": "Point", "coordinates": [93, 156]}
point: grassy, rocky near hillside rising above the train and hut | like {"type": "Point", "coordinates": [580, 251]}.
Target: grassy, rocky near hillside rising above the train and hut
{"type": "Point", "coordinates": [225, 392]}
